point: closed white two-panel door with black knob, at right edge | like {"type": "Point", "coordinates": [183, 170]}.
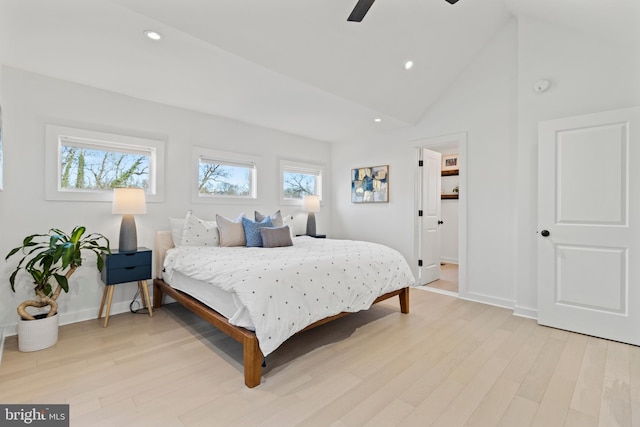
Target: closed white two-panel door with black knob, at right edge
{"type": "Point", "coordinates": [588, 224]}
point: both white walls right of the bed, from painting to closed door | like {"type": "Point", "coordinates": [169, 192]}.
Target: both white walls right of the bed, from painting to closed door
{"type": "Point", "coordinates": [493, 101]}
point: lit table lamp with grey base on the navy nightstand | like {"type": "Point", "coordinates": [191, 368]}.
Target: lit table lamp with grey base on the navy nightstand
{"type": "Point", "coordinates": [128, 202]}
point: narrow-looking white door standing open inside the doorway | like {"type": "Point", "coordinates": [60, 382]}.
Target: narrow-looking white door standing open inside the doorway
{"type": "Point", "coordinates": [430, 223]}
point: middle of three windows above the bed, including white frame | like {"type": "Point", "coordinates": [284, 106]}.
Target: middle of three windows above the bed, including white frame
{"type": "Point", "coordinates": [224, 175]}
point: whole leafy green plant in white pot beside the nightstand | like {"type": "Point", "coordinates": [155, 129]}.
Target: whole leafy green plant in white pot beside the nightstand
{"type": "Point", "coordinates": [50, 259]}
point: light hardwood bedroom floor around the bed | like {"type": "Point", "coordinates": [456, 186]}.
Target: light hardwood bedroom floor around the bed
{"type": "Point", "coordinates": [448, 363]}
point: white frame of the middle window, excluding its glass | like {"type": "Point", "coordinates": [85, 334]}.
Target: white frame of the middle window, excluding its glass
{"type": "Point", "coordinates": [223, 158]}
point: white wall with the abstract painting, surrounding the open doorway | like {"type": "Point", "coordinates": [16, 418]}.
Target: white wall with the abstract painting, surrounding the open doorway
{"type": "Point", "coordinates": [481, 102]}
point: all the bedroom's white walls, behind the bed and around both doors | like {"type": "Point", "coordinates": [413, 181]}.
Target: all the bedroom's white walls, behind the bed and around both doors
{"type": "Point", "coordinates": [492, 101]}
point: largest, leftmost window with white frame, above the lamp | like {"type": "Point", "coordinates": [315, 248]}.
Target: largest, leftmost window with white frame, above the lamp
{"type": "Point", "coordinates": [87, 165]}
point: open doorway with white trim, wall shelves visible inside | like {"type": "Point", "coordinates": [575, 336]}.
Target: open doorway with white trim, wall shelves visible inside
{"type": "Point", "coordinates": [451, 236]}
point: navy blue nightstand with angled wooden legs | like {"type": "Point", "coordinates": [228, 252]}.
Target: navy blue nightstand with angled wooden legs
{"type": "Point", "coordinates": [125, 267]}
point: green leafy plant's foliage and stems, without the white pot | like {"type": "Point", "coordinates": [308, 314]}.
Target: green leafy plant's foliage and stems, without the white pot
{"type": "Point", "coordinates": [51, 259]}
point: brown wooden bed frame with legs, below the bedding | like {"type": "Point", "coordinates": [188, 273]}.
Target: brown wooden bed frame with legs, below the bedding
{"type": "Point", "coordinates": [252, 355]}
